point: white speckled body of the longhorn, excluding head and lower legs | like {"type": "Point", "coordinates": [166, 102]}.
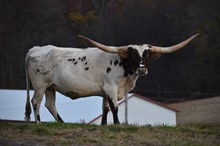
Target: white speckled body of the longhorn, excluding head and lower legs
{"type": "Point", "coordinates": [49, 65]}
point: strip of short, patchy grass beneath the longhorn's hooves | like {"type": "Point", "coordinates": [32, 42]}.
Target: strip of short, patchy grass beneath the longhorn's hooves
{"type": "Point", "coordinates": [80, 134]}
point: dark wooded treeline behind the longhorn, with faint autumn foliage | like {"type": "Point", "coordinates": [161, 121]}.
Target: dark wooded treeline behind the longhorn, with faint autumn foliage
{"type": "Point", "coordinates": [190, 73]}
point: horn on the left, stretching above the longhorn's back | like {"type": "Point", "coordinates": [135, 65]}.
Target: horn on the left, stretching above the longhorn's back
{"type": "Point", "coordinates": [102, 47]}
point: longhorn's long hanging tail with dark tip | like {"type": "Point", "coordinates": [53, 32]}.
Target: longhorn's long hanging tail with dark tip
{"type": "Point", "coordinates": [28, 105]}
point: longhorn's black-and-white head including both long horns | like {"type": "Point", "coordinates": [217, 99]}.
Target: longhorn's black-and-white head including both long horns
{"type": "Point", "coordinates": [134, 57]}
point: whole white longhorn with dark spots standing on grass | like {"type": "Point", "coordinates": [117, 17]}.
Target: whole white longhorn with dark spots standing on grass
{"type": "Point", "coordinates": [110, 72]}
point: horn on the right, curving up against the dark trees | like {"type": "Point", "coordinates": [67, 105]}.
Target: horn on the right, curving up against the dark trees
{"type": "Point", "coordinates": [172, 48]}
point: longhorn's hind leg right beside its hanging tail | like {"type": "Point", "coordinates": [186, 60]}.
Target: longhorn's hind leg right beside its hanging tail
{"type": "Point", "coordinates": [36, 101]}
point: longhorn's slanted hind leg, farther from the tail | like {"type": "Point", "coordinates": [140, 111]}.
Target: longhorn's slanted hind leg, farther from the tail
{"type": "Point", "coordinates": [50, 103]}
